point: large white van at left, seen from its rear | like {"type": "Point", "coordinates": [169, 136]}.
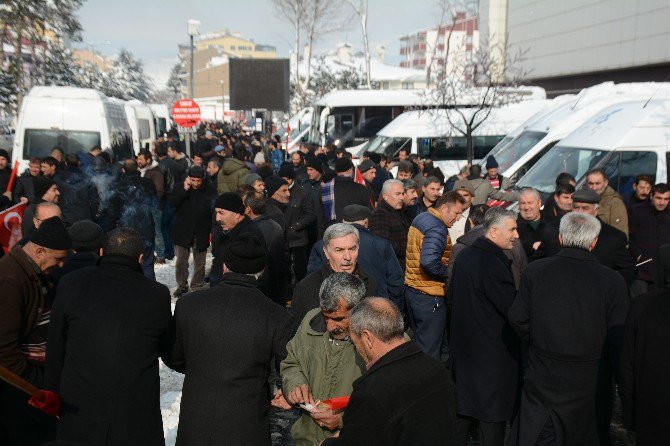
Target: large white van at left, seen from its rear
{"type": "Point", "coordinates": [74, 119]}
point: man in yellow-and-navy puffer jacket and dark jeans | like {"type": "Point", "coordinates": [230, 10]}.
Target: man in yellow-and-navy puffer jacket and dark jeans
{"type": "Point", "coordinates": [428, 250]}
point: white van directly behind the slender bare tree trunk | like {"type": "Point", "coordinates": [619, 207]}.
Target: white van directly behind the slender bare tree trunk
{"type": "Point", "coordinates": [429, 133]}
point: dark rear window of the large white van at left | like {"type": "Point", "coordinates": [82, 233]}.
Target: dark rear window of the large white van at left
{"type": "Point", "coordinates": [39, 142]}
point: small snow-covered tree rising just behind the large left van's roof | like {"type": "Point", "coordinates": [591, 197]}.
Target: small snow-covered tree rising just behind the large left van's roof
{"type": "Point", "coordinates": [128, 80]}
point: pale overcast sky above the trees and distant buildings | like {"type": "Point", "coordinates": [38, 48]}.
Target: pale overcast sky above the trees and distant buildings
{"type": "Point", "coordinates": [151, 29]}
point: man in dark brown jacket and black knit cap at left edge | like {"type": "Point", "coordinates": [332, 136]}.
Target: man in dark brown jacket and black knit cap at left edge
{"type": "Point", "coordinates": [26, 298]}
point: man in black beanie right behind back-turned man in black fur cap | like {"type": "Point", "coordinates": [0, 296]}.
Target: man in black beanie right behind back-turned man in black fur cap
{"type": "Point", "coordinates": [230, 215]}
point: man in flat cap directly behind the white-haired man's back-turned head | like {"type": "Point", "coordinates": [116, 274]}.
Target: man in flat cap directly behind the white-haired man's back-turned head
{"type": "Point", "coordinates": [610, 249]}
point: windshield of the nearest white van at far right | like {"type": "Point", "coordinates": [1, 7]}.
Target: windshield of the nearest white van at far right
{"type": "Point", "coordinates": [573, 160]}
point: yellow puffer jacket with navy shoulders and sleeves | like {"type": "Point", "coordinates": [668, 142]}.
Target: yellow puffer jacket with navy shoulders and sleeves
{"type": "Point", "coordinates": [428, 251]}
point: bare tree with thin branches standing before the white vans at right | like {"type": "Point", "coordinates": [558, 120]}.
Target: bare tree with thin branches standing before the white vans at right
{"type": "Point", "coordinates": [476, 83]}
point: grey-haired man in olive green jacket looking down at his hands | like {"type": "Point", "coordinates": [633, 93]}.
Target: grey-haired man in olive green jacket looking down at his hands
{"type": "Point", "coordinates": [322, 362]}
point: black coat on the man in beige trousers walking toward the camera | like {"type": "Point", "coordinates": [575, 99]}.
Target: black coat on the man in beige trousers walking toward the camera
{"type": "Point", "coordinates": [193, 216]}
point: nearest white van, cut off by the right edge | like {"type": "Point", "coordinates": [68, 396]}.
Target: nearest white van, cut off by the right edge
{"type": "Point", "coordinates": [625, 140]}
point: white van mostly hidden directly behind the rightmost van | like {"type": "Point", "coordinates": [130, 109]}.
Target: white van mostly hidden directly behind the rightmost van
{"type": "Point", "coordinates": [516, 158]}
